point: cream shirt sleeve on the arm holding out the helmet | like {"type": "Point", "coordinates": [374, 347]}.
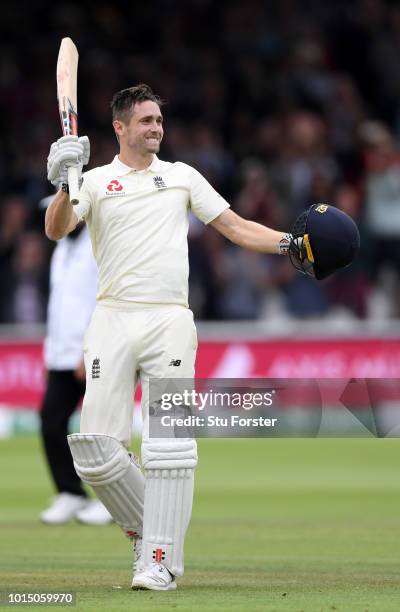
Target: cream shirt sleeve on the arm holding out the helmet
{"type": "Point", "coordinates": [205, 202]}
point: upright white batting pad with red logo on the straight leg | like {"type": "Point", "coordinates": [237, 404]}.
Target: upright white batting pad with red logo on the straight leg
{"type": "Point", "coordinates": [169, 471]}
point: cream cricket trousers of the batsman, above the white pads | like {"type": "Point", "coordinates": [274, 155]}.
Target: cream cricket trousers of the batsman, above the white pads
{"type": "Point", "coordinates": [122, 347]}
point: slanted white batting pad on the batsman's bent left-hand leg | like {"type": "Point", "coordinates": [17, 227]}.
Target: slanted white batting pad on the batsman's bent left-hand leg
{"type": "Point", "coordinates": [104, 463]}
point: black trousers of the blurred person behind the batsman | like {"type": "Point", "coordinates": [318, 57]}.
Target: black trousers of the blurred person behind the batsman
{"type": "Point", "coordinates": [61, 398]}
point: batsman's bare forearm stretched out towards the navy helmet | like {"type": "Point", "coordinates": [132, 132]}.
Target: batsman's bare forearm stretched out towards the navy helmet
{"type": "Point", "coordinates": [251, 235]}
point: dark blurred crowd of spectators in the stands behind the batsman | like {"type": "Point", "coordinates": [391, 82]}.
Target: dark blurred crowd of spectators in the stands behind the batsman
{"type": "Point", "coordinates": [280, 104]}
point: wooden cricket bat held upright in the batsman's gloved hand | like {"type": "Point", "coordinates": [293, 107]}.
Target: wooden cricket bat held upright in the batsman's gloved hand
{"type": "Point", "coordinates": [67, 74]}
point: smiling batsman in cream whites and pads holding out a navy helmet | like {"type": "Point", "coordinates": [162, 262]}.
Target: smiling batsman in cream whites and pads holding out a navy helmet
{"type": "Point", "coordinates": [136, 209]}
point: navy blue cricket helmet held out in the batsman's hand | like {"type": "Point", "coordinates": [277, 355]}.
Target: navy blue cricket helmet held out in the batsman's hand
{"type": "Point", "coordinates": [324, 239]}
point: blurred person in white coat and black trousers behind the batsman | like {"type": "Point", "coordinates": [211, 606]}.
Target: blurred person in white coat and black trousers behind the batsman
{"type": "Point", "coordinates": [73, 286]}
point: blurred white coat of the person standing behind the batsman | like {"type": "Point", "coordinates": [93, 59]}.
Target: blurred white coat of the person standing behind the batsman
{"type": "Point", "coordinates": [73, 287]}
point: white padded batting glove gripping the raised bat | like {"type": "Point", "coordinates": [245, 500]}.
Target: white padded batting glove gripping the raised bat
{"type": "Point", "coordinates": [68, 151]}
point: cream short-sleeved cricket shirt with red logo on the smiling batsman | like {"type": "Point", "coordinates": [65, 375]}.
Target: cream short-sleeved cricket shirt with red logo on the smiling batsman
{"type": "Point", "coordinates": [138, 223]}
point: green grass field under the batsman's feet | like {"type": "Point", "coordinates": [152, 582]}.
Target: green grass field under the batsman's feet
{"type": "Point", "coordinates": [277, 525]}
